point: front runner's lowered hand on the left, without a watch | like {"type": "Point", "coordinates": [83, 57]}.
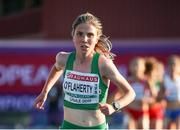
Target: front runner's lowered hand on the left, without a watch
{"type": "Point", "coordinates": [39, 101]}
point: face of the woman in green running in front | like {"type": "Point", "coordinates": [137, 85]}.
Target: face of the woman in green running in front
{"type": "Point", "coordinates": [85, 38]}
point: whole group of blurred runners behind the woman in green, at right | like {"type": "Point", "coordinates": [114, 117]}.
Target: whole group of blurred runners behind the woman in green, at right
{"type": "Point", "coordinates": [157, 88]}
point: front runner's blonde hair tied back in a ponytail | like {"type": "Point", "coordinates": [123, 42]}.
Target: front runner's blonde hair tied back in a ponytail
{"type": "Point", "coordinates": [103, 45]}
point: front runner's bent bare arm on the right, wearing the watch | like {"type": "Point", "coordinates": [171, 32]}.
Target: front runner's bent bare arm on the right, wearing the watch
{"type": "Point", "coordinates": [109, 70]}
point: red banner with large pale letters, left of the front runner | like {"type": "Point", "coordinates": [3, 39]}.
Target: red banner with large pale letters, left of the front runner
{"type": "Point", "coordinates": [24, 72]}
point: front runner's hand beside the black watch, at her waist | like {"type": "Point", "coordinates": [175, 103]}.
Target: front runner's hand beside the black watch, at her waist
{"type": "Point", "coordinates": [106, 109]}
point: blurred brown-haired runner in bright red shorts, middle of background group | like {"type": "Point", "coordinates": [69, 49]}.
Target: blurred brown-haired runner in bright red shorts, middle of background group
{"type": "Point", "coordinates": [154, 76]}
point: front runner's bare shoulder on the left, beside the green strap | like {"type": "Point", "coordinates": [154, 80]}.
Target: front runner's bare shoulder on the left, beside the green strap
{"type": "Point", "coordinates": [61, 59]}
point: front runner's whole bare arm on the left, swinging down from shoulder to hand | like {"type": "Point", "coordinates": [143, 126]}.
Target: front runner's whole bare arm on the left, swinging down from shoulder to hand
{"type": "Point", "coordinates": [55, 73]}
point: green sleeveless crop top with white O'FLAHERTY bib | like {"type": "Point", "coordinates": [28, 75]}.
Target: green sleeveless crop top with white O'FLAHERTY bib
{"type": "Point", "coordinates": [83, 90]}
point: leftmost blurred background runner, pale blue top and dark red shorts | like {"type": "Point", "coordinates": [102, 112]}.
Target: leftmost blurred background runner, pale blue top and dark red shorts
{"type": "Point", "coordinates": [138, 110]}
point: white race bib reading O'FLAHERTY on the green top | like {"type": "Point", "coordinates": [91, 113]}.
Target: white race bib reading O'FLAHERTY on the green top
{"type": "Point", "coordinates": [81, 88]}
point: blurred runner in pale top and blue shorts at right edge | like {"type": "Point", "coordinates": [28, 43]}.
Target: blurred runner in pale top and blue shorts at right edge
{"type": "Point", "coordinates": [172, 85]}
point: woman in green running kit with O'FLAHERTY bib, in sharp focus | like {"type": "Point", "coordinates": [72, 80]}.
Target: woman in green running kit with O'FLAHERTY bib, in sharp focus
{"type": "Point", "coordinates": [87, 74]}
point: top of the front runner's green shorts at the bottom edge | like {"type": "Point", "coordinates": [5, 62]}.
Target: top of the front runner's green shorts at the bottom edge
{"type": "Point", "coordinates": [68, 125]}
